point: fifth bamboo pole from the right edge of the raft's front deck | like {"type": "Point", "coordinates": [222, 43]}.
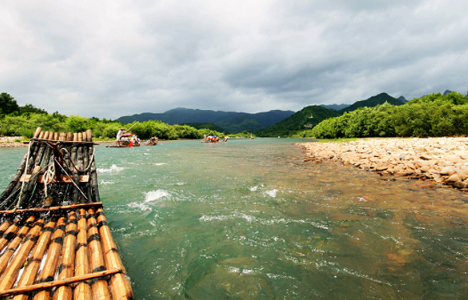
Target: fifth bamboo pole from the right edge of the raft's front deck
{"type": "Point", "coordinates": [53, 255]}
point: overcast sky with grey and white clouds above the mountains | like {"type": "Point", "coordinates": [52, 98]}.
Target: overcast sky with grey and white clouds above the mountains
{"type": "Point", "coordinates": [114, 58]}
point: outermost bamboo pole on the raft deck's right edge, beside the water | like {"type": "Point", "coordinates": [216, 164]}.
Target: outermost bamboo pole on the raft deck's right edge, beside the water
{"type": "Point", "coordinates": [120, 287]}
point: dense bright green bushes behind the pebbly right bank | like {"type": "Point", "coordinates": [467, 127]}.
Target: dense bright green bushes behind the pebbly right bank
{"type": "Point", "coordinates": [434, 115]}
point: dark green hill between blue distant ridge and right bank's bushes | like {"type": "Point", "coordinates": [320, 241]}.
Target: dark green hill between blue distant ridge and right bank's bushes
{"type": "Point", "coordinates": [307, 118]}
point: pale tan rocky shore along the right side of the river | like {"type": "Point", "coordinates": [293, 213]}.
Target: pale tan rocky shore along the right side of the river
{"type": "Point", "coordinates": [442, 161]}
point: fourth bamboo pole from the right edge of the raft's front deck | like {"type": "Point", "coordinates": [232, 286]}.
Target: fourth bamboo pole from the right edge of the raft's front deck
{"type": "Point", "coordinates": [67, 266]}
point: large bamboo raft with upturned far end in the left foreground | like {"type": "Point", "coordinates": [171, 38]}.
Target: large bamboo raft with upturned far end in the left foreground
{"type": "Point", "coordinates": [55, 242]}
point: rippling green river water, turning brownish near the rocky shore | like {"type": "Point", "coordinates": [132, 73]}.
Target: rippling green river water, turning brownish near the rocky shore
{"type": "Point", "coordinates": [248, 219]}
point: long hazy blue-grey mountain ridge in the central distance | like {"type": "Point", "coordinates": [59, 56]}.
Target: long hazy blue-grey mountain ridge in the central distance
{"type": "Point", "coordinates": [232, 122]}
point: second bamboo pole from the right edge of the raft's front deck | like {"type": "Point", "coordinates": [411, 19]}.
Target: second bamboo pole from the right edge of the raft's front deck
{"type": "Point", "coordinates": [96, 258]}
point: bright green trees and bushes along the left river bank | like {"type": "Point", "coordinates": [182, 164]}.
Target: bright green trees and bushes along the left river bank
{"type": "Point", "coordinates": [18, 120]}
